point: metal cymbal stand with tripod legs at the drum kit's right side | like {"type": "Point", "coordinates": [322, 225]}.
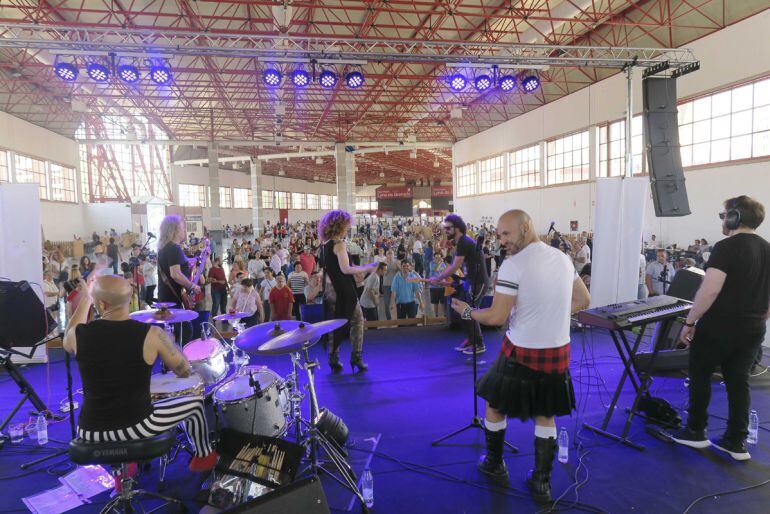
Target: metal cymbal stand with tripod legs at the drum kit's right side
{"type": "Point", "coordinates": [315, 440]}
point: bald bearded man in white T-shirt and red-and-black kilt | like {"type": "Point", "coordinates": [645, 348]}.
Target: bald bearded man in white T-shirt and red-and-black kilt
{"type": "Point", "coordinates": [537, 289]}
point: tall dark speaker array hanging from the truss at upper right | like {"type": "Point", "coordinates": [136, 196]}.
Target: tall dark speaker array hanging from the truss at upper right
{"type": "Point", "coordinates": [664, 161]}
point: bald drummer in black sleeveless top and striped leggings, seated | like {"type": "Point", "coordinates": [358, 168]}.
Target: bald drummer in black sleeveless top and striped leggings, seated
{"type": "Point", "coordinates": [115, 357]}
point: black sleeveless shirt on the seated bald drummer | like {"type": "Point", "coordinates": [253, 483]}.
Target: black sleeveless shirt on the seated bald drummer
{"type": "Point", "coordinates": [116, 379]}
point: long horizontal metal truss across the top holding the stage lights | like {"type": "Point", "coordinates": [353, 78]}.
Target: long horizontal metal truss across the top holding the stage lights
{"type": "Point", "coordinates": [62, 38]}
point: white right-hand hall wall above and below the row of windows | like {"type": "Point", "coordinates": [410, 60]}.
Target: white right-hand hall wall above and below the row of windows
{"type": "Point", "coordinates": [605, 101]}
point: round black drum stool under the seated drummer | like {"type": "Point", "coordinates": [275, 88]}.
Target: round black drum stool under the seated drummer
{"type": "Point", "coordinates": [120, 454]}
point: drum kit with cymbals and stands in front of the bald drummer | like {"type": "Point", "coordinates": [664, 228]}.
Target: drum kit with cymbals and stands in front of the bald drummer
{"type": "Point", "coordinates": [250, 398]}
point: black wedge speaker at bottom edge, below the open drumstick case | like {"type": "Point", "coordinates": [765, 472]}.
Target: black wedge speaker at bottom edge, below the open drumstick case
{"type": "Point", "coordinates": [305, 496]}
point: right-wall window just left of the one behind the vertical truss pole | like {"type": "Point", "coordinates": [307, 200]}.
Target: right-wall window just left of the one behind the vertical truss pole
{"type": "Point", "coordinates": [567, 159]}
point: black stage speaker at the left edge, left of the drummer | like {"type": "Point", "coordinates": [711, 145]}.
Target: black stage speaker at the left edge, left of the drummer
{"type": "Point", "coordinates": [23, 318]}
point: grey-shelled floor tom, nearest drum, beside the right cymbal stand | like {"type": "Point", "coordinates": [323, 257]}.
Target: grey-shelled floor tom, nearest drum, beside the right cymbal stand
{"type": "Point", "coordinates": [260, 413]}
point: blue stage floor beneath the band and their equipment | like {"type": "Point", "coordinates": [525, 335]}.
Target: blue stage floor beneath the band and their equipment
{"type": "Point", "coordinates": [418, 389]}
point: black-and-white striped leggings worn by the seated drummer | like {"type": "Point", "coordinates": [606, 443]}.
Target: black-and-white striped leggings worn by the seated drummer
{"type": "Point", "coordinates": [166, 414]}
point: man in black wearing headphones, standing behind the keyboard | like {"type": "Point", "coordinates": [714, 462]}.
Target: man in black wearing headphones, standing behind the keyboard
{"type": "Point", "coordinates": [726, 326]}
